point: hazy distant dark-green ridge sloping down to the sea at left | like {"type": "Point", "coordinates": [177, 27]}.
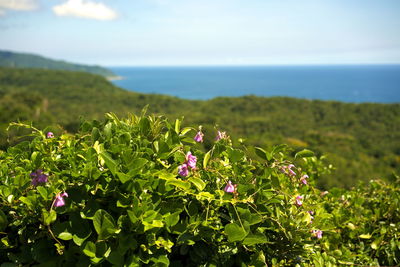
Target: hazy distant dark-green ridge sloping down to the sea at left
{"type": "Point", "coordinates": [22, 60]}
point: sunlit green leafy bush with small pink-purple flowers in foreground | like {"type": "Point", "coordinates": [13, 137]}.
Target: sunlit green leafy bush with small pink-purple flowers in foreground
{"type": "Point", "coordinates": [141, 191]}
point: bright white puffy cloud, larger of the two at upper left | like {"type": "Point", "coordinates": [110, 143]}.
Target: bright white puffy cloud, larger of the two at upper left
{"type": "Point", "coordinates": [85, 9]}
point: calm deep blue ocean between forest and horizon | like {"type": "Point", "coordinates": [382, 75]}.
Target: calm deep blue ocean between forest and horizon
{"type": "Point", "coordinates": [355, 83]}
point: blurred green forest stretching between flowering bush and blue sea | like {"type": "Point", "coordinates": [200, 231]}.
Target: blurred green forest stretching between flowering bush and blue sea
{"type": "Point", "coordinates": [360, 140]}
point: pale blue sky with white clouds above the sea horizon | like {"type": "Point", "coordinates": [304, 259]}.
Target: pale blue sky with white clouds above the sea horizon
{"type": "Point", "coordinates": [206, 32]}
